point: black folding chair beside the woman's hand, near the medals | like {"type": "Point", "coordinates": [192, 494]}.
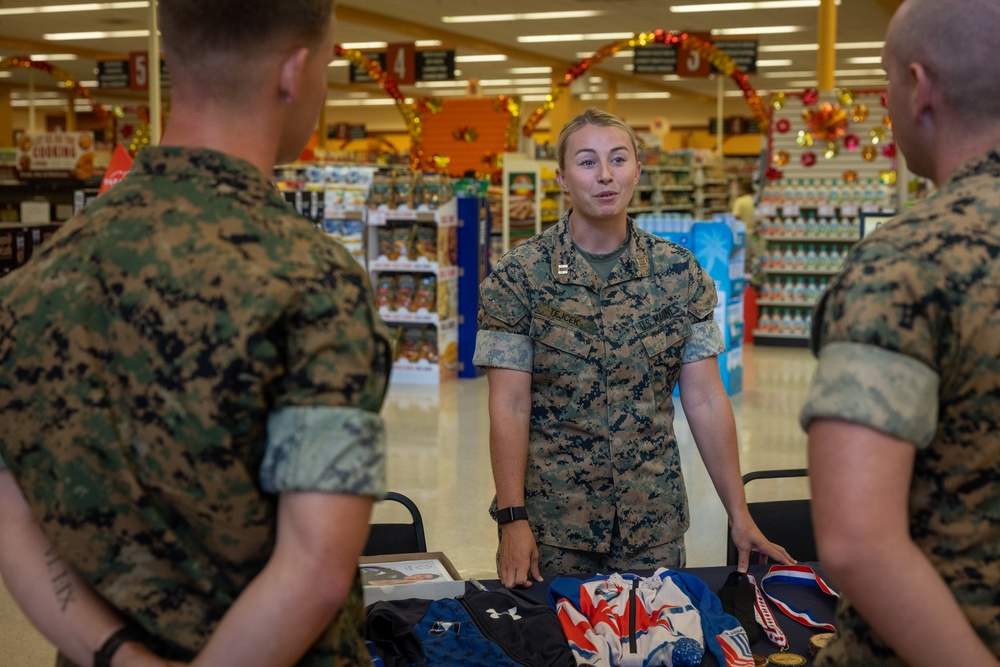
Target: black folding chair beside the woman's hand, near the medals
{"type": "Point", "coordinates": [784, 522]}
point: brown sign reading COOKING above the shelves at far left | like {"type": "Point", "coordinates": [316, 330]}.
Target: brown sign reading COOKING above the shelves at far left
{"type": "Point", "coordinates": [56, 155]}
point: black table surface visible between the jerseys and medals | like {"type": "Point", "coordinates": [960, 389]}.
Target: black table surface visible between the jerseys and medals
{"type": "Point", "coordinates": [821, 605]}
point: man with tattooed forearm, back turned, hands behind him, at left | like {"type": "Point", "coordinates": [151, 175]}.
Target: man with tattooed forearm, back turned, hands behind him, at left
{"type": "Point", "coordinates": [190, 379]}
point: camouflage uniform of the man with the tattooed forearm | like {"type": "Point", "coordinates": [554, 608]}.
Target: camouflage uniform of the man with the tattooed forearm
{"type": "Point", "coordinates": [143, 351]}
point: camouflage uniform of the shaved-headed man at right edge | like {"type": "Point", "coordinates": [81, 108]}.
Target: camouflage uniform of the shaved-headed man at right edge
{"type": "Point", "coordinates": [913, 323]}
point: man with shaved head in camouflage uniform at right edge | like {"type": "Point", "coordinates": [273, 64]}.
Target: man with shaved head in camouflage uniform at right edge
{"type": "Point", "coordinates": [904, 413]}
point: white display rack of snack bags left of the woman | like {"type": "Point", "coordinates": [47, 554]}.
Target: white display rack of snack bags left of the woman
{"type": "Point", "coordinates": [413, 260]}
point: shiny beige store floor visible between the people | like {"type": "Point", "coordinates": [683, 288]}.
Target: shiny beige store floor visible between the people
{"type": "Point", "coordinates": [439, 457]}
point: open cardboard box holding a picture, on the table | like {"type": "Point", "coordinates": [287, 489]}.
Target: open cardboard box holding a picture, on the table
{"type": "Point", "coordinates": [427, 576]}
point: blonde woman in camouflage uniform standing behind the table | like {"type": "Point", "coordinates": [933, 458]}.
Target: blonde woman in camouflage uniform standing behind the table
{"type": "Point", "coordinates": [585, 330]}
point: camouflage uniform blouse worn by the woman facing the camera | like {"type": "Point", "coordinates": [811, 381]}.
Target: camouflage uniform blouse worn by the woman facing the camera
{"type": "Point", "coordinates": [604, 360]}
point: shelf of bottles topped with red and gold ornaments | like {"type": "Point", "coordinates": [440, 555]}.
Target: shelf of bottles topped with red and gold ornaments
{"type": "Point", "coordinates": [827, 170]}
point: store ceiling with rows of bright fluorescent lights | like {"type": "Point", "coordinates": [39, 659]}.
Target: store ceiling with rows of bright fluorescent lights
{"type": "Point", "coordinates": [859, 22]}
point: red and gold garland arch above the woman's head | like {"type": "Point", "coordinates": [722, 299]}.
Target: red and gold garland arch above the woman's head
{"type": "Point", "coordinates": [707, 50]}
